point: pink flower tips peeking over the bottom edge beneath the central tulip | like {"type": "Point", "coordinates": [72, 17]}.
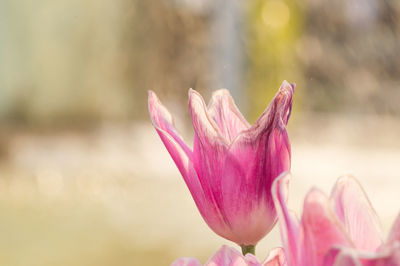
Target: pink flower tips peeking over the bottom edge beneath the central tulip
{"type": "Point", "coordinates": [227, 256]}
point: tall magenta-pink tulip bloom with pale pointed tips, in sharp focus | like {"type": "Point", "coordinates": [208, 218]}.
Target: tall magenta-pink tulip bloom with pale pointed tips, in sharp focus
{"type": "Point", "coordinates": [232, 165]}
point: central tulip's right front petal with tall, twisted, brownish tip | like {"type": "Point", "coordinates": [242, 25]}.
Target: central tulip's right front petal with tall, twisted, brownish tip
{"type": "Point", "coordinates": [257, 156]}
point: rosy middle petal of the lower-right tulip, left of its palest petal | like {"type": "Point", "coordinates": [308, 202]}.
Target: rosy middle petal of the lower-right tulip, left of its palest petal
{"type": "Point", "coordinates": [322, 229]}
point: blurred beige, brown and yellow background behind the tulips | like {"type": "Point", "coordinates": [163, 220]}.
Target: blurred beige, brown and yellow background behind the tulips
{"type": "Point", "coordinates": [85, 180]}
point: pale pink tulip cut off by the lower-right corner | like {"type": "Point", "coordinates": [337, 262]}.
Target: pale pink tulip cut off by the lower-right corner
{"type": "Point", "coordinates": [340, 230]}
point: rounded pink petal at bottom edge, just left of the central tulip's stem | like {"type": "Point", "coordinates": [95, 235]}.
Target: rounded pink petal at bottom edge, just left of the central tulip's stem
{"type": "Point", "coordinates": [227, 256]}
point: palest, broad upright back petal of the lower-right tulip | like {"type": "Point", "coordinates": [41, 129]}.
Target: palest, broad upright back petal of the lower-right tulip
{"type": "Point", "coordinates": [356, 213]}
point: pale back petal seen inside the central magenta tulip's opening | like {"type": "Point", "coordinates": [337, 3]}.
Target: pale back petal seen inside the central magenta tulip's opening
{"type": "Point", "coordinates": [223, 111]}
